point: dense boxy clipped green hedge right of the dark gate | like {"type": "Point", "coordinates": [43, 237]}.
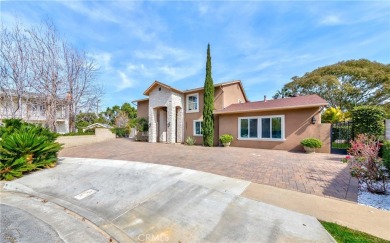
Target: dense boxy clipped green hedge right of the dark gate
{"type": "Point", "coordinates": [368, 120]}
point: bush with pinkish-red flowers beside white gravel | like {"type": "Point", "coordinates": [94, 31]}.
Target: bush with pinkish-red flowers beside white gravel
{"type": "Point", "coordinates": [365, 163]}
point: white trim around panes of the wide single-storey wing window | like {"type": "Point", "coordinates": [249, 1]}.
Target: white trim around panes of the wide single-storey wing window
{"type": "Point", "coordinates": [259, 128]}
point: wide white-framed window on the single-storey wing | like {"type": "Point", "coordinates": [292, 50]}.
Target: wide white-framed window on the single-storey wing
{"type": "Point", "coordinates": [268, 128]}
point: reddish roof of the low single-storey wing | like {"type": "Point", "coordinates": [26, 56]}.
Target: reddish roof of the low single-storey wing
{"type": "Point", "coordinates": [278, 104]}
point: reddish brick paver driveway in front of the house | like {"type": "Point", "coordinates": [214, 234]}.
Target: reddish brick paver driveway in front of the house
{"type": "Point", "coordinates": [319, 174]}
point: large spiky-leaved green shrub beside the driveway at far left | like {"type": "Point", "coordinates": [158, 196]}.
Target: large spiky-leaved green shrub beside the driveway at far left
{"type": "Point", "coordinates": [26, 147]}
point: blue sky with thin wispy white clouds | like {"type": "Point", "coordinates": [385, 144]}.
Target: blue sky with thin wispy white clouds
{"type": "Point", "coordinates": [261, 43]}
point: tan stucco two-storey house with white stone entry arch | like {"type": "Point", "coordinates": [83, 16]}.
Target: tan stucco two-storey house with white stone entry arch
{"type": "Point", "coordinates": [270, 124]}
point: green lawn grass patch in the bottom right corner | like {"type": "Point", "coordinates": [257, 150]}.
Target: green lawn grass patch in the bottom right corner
{"type": "Point", "coordinates": [344, 234]}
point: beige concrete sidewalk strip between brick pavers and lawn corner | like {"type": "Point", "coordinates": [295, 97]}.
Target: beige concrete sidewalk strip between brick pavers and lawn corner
{"type": "Point", "coordinates": [359, 217]}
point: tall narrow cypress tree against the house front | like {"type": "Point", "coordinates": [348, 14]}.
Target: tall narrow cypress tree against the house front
{"type": "Point", "coordinates": [208, 97]}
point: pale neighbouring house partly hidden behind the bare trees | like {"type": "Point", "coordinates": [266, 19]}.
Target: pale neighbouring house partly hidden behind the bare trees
{"type": "Point", "coordinates": [31, 109]}
